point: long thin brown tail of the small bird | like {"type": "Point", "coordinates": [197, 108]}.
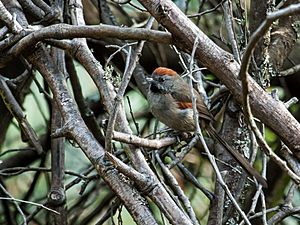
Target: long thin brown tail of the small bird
{"type": "Point", "coordinates": [236, 155]}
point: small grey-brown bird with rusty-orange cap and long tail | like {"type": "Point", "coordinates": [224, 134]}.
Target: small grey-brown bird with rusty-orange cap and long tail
{"type": "Point", "coordinates": [170, 101]}
